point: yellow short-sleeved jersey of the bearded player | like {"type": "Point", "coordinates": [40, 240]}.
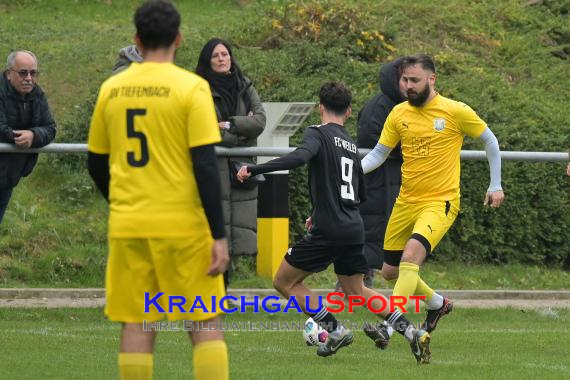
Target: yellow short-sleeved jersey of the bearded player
{"type": "Point", "coordinates": [431, 138]}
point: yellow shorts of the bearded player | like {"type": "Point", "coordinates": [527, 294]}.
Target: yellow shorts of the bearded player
{"type": "Point", "coordinates": [430, 219]}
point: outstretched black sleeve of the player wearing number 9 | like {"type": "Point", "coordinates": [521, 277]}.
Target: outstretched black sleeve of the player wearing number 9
{"type": "Point", "coordinates": [300, 156]}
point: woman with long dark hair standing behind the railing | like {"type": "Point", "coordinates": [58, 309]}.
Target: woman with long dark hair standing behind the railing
{"type": "Point", "coordinates": [241, 119]}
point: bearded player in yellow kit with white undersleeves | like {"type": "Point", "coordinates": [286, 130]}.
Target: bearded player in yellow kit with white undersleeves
{"type": "Point", "coordinates": [430, 129]}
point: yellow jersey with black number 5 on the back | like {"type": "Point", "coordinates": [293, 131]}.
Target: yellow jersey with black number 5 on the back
{"type": "Point", "coordinates": [146, 119]}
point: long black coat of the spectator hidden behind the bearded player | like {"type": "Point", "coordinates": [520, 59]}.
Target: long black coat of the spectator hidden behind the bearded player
{"type": "Point", "coordinates": [382, 184]}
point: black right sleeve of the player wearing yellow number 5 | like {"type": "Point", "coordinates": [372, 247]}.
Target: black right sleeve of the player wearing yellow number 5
{"type": "Point", "coordinates": [209, 186]}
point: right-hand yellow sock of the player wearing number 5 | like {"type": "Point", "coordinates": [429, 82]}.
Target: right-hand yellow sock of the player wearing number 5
{"type": "Point", "coordinates": [211, 360]}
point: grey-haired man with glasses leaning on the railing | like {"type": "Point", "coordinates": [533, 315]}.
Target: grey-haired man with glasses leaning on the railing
{"type": "Point", "coordinates": [25, 120]}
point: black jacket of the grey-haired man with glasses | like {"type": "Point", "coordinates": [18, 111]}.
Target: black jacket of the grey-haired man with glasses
{"type": "Point", "coordinates": [13, 107]}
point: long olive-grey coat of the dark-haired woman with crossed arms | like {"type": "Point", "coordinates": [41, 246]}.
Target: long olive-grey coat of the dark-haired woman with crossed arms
{"type": "Point", "coordinates": [240, 206]}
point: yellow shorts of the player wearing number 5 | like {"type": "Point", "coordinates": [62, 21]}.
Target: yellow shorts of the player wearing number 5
{"type": "Point", "coordinates": [177, 267]}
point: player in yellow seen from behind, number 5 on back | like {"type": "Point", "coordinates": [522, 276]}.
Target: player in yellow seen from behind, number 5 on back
{"type": "Point", "coordinates": [151, 153]}
